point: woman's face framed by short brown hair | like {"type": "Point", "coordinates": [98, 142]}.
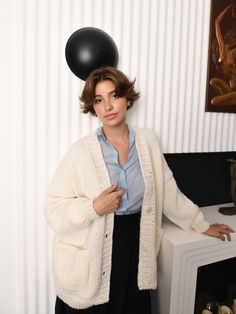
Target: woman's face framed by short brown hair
{"type": "Point", "coordinates": [109, 108]}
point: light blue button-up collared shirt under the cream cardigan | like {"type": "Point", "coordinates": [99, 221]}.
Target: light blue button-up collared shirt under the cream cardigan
{"type": "Point", "coordinates": [128, 177]}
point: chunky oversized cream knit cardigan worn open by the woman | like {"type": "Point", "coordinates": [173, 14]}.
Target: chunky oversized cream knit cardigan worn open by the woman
{"type": "Point", "coordinates": [82, 245]}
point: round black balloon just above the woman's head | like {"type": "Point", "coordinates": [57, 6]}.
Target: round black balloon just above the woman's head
{"type": "Point", "coordinates": [90, 48]}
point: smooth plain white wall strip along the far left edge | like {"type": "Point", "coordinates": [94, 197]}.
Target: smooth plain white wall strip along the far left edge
{"type": "Point", "coordinates": [8, 272]}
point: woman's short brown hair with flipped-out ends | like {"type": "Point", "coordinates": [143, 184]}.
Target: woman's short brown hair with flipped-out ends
{"type": "Point", "coordinates": [123, 87]}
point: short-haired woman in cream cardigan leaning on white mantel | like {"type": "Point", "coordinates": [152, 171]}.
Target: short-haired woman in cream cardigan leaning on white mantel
{"type": "Point", "coordinates": [105, 205]}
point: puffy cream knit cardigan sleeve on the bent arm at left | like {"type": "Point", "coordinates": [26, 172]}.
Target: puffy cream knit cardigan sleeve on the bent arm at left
{"type": "Point", "coordinates": [64, 199]}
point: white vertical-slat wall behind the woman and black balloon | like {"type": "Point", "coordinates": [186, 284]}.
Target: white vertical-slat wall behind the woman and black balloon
{"type": "Point", "coordinates": [163, 44]}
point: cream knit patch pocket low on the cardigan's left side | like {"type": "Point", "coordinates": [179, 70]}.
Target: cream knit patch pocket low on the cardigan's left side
{"type": "Point", "coordinates": [70, 264]}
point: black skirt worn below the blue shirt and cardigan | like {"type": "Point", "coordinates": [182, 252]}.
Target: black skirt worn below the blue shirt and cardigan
{"type": "Point", "coordinates": [125, 297]}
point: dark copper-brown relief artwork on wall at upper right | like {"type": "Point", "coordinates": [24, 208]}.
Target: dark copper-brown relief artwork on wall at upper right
{"type": "Point", "coordinates": [221, 76]}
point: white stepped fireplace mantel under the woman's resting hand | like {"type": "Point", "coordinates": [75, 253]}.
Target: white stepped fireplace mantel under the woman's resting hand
{"type": "Point", "coordinates": [181, 253]}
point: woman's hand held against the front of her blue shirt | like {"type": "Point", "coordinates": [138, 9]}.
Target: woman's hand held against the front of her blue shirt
{"type": "Point", "coordinates": [108, 201]}
